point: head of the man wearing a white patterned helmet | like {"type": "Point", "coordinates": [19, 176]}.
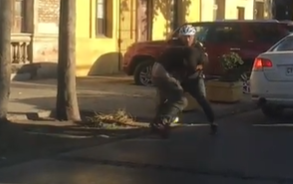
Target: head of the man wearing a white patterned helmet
{"type": "Point", "coordinates": [187, 35]}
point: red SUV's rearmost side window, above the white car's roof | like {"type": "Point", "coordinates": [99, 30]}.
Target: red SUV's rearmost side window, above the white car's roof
{"type": "Point", "coordinates": [268, 33]}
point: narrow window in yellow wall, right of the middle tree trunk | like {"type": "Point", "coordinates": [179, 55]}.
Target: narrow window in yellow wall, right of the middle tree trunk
{"type": "Point", "coordinates": [101, 20]}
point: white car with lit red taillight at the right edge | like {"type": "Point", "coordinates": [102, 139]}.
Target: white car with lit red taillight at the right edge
{"type": "Point", "coordinates": [271, 80]}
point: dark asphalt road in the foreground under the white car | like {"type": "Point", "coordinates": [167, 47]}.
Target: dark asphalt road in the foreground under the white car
{"type": "Point", "coordinates": [248, 149]}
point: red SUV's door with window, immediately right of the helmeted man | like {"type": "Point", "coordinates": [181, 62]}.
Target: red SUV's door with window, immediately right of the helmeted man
{"type": "Point", "coordinates": [221, 39]}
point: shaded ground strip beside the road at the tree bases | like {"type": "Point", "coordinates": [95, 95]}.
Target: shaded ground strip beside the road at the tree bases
{"type": "Point", "coordinates": [29, 140]}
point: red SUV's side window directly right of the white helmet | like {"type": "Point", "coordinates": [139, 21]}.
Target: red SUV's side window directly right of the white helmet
{"type": "Point", "coordinates": [224, 33]}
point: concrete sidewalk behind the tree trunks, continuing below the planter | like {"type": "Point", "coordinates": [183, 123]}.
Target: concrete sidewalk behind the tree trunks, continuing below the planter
{"type": "Point", "coordinates": [99, 95]}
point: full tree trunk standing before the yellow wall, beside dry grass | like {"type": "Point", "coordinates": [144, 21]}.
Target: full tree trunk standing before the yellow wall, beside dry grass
{"type": "Point", "coordinates": [67, 104]}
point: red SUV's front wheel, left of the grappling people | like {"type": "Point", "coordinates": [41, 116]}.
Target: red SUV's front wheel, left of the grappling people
{"type": "Point", "coordinates": [142, 73]}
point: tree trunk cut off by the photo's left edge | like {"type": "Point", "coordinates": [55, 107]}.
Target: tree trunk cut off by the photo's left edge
{"type": "Point", "coordinates": [5, 59]}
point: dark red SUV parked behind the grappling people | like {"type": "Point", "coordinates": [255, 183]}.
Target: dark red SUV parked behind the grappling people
{"type": "Point", "coordinates": [248, 38]}
